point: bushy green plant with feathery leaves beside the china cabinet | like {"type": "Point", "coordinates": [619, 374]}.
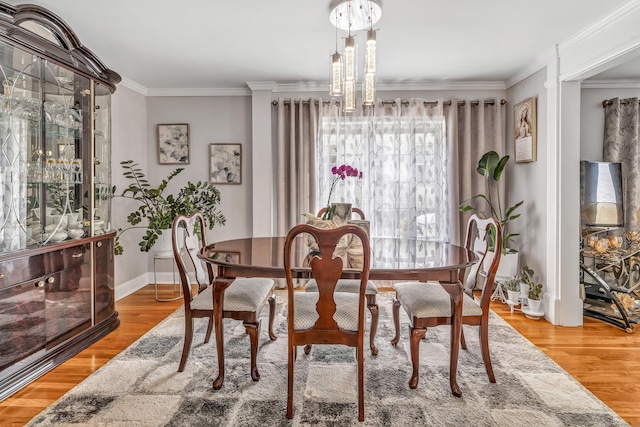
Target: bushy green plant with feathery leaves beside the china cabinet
{"type": "Point", "coordinates": [157, 210]}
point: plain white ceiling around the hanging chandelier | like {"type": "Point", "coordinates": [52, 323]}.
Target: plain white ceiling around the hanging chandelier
{"type": "Point", "coordinates": [160, 44]}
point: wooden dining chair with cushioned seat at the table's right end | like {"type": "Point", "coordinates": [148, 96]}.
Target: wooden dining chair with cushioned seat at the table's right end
{"type": "Point", "coordinates": [429, 304]}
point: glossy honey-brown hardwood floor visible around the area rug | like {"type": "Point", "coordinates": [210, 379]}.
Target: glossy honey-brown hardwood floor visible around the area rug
{"type": "Point", "coordinates": [603, 358]}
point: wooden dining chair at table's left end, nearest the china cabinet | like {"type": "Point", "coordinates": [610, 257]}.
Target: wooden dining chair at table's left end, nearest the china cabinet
{"type": "Point", "coordinates": [243, 299]}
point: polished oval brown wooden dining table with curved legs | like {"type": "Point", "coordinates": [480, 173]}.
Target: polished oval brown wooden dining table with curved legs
{"type": "Point", "coordinates": [393, 259]}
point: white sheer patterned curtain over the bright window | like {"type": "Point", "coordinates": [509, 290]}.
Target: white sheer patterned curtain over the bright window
{"type": "Point", "coordinates": [401, 149]}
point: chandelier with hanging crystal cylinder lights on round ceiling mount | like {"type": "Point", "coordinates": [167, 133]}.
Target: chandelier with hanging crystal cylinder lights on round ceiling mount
{"type": "Point", "coordinates": [352, 16]}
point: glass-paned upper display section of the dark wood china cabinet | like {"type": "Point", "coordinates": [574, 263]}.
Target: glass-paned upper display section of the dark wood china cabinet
{"type": "Point", "coordinates": [53, 187]}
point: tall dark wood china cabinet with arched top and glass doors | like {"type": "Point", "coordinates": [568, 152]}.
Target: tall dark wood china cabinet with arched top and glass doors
{"type": "Point", "coordinates": [56, 243]}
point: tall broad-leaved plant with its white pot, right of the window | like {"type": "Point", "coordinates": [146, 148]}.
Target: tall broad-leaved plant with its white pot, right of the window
{"type": "Point", "coordinates": [491, 166]}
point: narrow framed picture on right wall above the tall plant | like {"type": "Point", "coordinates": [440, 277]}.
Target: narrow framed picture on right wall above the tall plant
{"type": "Point", "coordinates": [525, 131]}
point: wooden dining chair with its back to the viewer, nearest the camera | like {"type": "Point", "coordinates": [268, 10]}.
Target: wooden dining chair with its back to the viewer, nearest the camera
{"type": "Point", "coordinates": [326, 316]}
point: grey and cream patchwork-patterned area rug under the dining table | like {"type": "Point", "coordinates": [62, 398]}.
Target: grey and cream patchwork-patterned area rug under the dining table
{"type": "Point", "coordinates": [141, 386]}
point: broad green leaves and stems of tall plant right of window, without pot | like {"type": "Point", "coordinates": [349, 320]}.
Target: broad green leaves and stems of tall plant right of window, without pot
{"type": "Point", "coordinates": [490, 167]}
